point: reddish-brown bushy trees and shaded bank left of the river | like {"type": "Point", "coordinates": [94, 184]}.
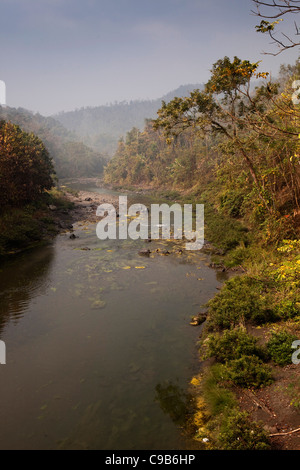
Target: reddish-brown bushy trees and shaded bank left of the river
{"type": "Point", "coordinates": [27, 190]}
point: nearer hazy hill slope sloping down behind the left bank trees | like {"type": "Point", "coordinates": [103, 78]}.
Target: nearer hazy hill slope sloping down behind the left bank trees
{"type": "Point", "coordinates": [72, 158]}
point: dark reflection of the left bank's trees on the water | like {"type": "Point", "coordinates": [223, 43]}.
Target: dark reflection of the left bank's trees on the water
{"type": "Point", "coordinates": [21, 279]}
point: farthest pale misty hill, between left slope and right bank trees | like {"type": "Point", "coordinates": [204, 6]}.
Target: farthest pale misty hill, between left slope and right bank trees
{"type": "Point", "coordinates": [101, 127]}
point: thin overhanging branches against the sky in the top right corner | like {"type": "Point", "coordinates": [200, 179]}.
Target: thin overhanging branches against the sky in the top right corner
{"type": "Point", "coordinates": [277, 10]}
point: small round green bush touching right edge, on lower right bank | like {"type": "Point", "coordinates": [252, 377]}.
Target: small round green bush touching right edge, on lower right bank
{"type": "Point", "coordinates": [280, 347]}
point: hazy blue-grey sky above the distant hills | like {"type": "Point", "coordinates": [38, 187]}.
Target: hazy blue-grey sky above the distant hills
{"type": "Point", "coordinates": [64, 54]}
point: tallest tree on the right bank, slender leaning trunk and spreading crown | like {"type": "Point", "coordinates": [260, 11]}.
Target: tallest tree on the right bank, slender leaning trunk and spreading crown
{"type": "Point", "coordinates": [216, 109]}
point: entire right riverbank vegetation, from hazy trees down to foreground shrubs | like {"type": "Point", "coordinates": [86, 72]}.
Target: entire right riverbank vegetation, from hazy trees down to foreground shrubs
{"type": "Point", "coordinates": [234, 146]}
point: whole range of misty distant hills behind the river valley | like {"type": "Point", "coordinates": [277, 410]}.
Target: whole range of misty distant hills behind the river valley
{"type": "Point", "coordinates": [81, 141]}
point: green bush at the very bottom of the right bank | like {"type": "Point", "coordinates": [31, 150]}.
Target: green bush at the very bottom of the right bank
{"type": "Point", "coordinates": [238, 432]}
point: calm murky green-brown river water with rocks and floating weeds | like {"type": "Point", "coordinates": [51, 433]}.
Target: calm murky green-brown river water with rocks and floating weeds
{"type": "Point", "coordinates": [99, 347]}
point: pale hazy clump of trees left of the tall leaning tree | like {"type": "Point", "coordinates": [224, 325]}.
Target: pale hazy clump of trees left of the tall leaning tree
{"type": "Point", "coordinates": [145, 159]}
